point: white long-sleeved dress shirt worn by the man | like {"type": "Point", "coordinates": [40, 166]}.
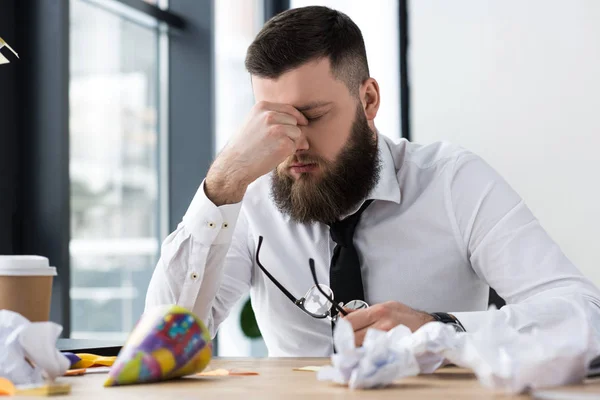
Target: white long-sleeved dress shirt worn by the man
{"type": "Point", "coordinates": [443, 227]}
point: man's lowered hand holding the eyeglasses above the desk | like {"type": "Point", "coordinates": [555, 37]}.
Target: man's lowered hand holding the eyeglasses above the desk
{"type": "Point", "coordinates": [385, 316]}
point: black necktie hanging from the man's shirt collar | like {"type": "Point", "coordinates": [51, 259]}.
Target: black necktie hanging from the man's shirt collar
{"type": "Point", "coordinates": [344, 273]}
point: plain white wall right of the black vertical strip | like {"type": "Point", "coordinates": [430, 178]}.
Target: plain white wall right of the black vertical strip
{"type": "Point", "coordinates": [518, 82]}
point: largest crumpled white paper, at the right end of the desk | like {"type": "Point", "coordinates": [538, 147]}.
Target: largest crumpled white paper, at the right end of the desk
{"type": "Point", "coordinates": [557, 353]}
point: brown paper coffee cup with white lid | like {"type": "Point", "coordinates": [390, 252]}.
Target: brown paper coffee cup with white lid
{"type": "Point", "coordinates": [26, 286]}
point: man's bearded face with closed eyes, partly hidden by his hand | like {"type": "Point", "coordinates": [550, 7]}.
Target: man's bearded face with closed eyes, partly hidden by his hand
{"type": "Point", "coordinates": [340, 166]}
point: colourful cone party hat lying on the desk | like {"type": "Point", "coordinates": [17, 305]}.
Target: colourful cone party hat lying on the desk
{"type": "Point", "coordinates": [168, 342]}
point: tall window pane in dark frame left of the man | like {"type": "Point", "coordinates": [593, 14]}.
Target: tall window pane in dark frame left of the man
{"type": "Point", "coordinates": [115, 168]}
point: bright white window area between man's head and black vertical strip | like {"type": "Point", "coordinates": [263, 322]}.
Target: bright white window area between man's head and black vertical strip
{"type": "Point", "coordinates": [379, 23]}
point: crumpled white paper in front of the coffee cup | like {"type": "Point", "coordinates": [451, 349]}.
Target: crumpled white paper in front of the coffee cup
{"type": "Point", "coordinates": [22, 340]}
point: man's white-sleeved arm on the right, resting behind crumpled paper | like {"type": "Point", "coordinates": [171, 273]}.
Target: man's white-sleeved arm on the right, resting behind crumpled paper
{"type": "Point", "coordinates": [509, 249]}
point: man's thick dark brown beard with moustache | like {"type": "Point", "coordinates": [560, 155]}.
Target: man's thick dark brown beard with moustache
{"type": "Point", "coordinates": [341, 185]}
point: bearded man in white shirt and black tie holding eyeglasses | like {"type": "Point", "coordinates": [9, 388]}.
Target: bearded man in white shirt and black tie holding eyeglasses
{"type": "Point", "coordinates": [319, 216]}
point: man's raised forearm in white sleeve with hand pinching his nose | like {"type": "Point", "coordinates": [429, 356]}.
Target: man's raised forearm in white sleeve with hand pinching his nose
{"type": "Point", "coordinates": [205, 264]}
